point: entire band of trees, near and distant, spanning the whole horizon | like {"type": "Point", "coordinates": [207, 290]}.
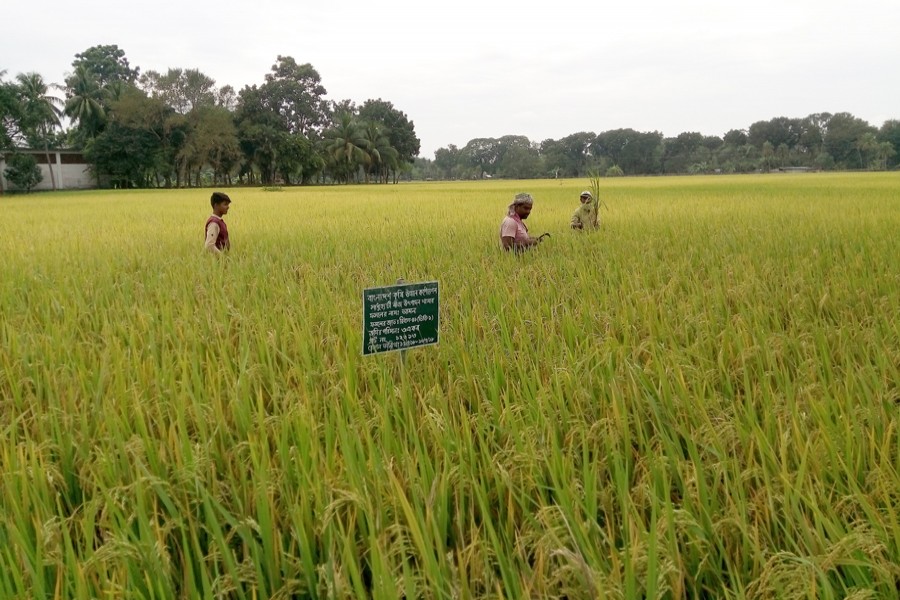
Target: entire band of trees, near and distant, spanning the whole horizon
{"type": "Point", "coordinates": [179, 129]}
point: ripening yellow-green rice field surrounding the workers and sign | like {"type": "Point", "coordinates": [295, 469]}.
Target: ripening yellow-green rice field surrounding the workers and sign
{"type": "Point", "coordinates": [701, 400]}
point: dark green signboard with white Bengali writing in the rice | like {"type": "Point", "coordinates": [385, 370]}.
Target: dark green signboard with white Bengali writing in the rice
{"type": "Point", "coordinates": [400, 317]}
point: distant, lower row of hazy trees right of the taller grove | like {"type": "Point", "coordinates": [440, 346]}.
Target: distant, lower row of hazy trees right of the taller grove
{"type": "Point", "coordinates": [821, 141]}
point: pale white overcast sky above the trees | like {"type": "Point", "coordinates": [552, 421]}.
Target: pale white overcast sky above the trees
{"type": "Point", "coordinates": [468, 69]}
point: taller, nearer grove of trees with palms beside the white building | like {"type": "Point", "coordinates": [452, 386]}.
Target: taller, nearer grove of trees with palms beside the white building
{"type": "Point", "coordinates": [178, 129]}
